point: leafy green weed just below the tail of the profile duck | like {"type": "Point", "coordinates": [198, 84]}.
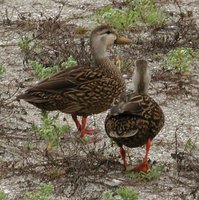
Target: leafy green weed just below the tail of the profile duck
{"type": "Point", "coordinates": [49, 131]}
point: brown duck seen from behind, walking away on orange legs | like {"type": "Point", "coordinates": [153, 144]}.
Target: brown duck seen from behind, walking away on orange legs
{"type": "Point", "coordinates": [137, 119]}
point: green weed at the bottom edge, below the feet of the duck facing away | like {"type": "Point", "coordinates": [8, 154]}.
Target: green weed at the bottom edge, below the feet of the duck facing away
{"type": "Point", "coordinates": [122, 193]}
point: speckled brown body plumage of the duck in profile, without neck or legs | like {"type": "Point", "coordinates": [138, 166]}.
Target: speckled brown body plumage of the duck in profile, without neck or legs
{"type": "Point", "coordinates": [80, 90]}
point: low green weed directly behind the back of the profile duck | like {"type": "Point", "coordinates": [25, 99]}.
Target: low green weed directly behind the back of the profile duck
{"type": "Point", "coordinates": [43, 72]}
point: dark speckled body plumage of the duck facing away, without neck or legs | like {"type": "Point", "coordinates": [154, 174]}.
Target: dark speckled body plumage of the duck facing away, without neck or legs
{"type": "Point", "coordinates": [132, 128]}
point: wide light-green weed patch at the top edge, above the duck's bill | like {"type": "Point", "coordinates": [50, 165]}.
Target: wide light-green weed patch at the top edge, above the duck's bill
{"type": "Point", "coordinates": [138, 11]}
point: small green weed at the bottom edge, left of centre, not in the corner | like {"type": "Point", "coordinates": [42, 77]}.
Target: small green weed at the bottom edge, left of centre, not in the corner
{"type": "Point", "coordinates": [43, 192]}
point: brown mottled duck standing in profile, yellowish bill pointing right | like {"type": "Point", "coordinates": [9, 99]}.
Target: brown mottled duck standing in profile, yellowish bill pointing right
{"type": "Point", "coordinates": [83, 90]}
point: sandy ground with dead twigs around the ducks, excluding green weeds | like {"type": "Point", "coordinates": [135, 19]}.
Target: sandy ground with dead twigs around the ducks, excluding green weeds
{"type": "Point", "coordinates": [84, 171]}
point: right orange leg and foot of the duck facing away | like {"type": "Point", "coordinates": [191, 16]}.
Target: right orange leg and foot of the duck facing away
{"type": "Point", "coordinates": [144, 166]}
